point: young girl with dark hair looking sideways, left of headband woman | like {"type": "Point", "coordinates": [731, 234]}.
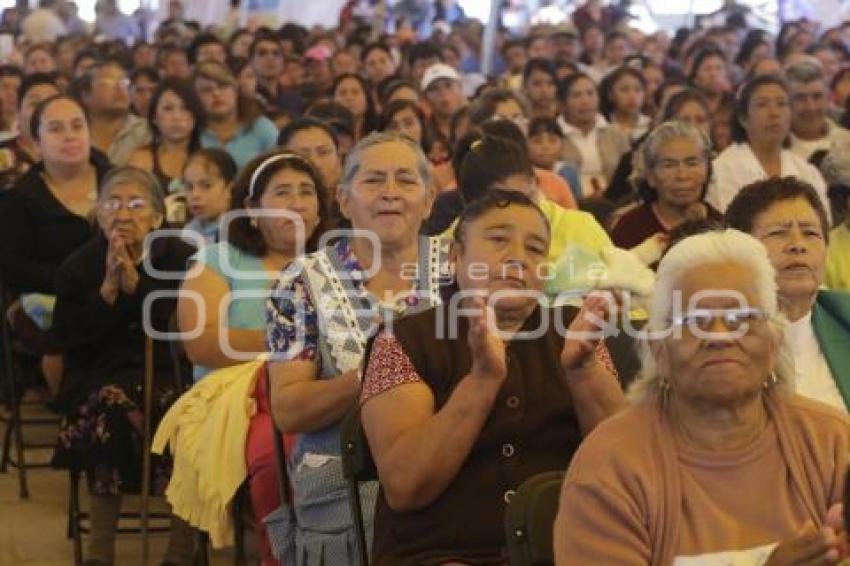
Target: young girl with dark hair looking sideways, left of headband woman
{"type": "Point", "coordinates": [207, 183]}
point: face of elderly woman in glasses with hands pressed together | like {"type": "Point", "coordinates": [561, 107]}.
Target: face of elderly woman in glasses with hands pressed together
{"type": "Point", "coordinates": [127, 210]}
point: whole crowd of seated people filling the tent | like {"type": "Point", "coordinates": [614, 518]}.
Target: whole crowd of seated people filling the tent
{"type": "Point", "coordinates": [349, 220]}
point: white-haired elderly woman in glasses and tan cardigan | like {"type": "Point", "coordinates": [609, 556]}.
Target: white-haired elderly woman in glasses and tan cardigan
{"type": "Point", "coordinates": [716, 461]}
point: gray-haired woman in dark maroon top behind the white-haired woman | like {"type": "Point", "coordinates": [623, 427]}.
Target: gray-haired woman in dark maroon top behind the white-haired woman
{"type": "Point", "coordinates": [672, 170]}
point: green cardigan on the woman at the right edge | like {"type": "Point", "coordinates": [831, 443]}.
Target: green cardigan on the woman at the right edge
{"type": "Point", "coordinates": [831, 321]}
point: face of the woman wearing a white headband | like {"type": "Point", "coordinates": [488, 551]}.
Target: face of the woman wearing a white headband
{"type": "Point", "coordinates": [293, 191]}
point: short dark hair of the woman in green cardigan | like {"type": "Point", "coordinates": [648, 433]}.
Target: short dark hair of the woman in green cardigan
{"type": "Point", "coordinates": [755, 198]}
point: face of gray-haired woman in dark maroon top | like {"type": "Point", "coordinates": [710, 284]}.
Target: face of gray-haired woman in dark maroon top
{"type": "Point", "coordinates": [680, 173]}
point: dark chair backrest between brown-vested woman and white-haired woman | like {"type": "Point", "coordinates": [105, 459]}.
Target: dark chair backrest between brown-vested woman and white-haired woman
{"type": "Point", "coordinates": [529, 519]}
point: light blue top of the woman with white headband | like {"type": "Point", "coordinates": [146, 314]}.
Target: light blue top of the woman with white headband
{"type": "Point", "coordinates": [241, 272]}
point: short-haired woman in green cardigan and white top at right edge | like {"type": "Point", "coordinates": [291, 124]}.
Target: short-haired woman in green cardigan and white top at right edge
{"type": "Point", "coordinates": [786, 214]}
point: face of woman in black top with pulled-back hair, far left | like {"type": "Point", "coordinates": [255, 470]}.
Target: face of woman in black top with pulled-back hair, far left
{"type": "Point", "coordinates": [63, 134]}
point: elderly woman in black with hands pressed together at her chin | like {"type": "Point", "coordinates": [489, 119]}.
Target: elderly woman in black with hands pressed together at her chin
{"type": "Point", "coordinates": [99, 325]}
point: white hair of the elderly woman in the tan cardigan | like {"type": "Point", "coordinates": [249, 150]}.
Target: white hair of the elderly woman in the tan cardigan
{"type": "Point", "coordinates": [727, 246]}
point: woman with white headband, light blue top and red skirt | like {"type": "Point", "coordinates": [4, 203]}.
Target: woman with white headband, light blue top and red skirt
{"type": "Point", "coordinates": [257, 249]}
